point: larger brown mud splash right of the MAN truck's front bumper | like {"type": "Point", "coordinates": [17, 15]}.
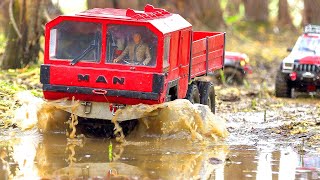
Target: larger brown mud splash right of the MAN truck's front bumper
{"type": "Point", "coordinates": [174, 117]}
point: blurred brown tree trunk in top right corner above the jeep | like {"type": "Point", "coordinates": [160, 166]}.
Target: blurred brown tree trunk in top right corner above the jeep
{"type": "Point", "coordinates": [311, 13]}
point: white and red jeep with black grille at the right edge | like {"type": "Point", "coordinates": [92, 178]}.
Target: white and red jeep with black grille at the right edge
{"type": "Point", "coordinates": [299, 72]}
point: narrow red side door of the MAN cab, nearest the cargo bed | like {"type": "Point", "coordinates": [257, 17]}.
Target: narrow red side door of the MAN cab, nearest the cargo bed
{"type": "Point", "coordinates": [183, 62]}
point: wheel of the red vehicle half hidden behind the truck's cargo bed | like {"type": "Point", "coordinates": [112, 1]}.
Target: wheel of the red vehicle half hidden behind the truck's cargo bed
{"type": "Point", "coordinates": [233, 76]}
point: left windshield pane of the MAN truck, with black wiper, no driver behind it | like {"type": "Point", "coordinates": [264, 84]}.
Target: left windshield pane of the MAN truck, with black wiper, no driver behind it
{"type": "Point", "coordinates": [76, 41]}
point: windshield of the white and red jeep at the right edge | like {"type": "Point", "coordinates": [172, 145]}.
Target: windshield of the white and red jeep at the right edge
{"type": "Point", "coordinates": [308, 44]}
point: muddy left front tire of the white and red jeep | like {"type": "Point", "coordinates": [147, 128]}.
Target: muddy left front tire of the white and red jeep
{"type": "Point", "coordinates": [281, 88]}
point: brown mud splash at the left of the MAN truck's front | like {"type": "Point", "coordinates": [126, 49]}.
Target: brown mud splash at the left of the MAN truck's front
{"type": "Point", "coordinates": [46, 116]}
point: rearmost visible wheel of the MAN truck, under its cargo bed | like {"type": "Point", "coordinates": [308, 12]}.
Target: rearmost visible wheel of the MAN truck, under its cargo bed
{"type": "Point", "coordinates": [207, 95]}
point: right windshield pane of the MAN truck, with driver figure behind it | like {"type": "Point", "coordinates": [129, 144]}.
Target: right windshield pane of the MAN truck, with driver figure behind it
{"type": "Point", "coordinates": [131, 45]}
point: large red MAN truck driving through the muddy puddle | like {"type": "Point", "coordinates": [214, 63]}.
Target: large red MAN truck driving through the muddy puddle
{"type": "Point", "coordinates": [112, 58]}
